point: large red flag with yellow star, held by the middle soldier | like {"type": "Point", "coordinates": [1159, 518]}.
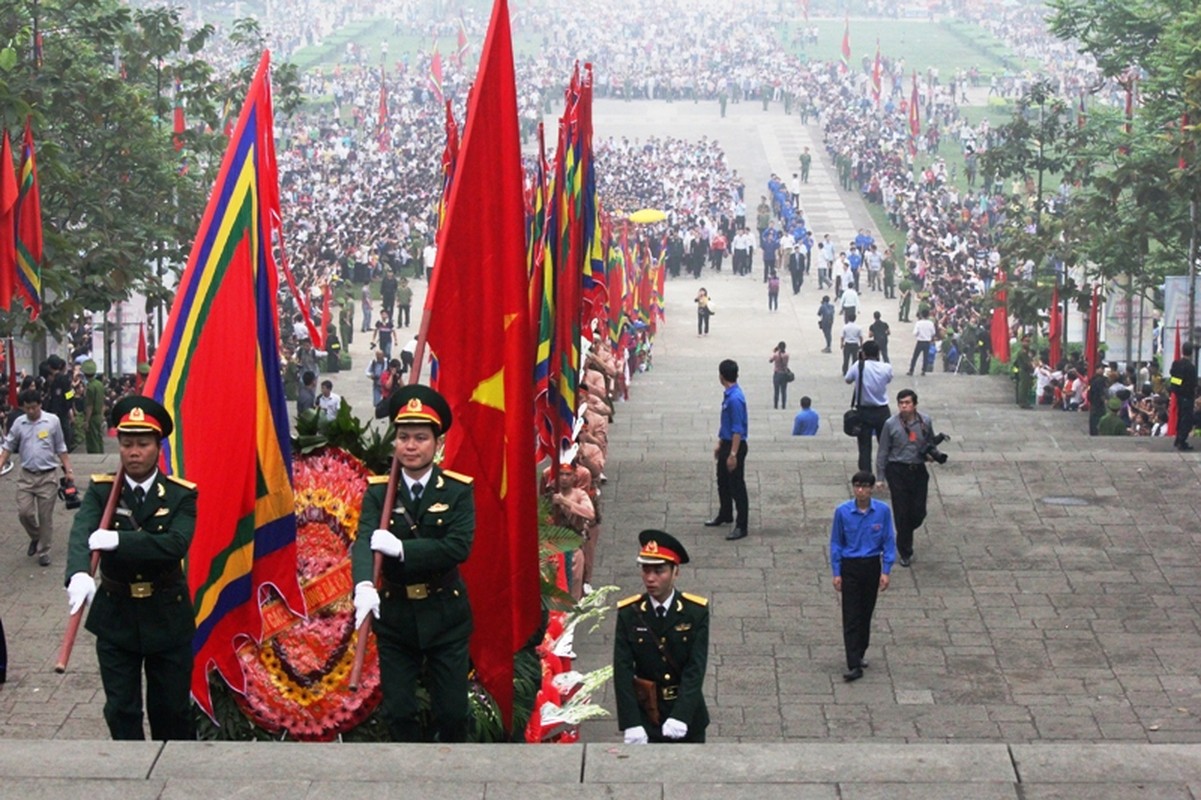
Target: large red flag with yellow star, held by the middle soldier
{"type": "Point", "coordinates": [481, 276]}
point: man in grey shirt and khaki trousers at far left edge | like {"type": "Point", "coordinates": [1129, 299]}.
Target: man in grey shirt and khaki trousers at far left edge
{"type": "Point", "coordinates": [39, 438]}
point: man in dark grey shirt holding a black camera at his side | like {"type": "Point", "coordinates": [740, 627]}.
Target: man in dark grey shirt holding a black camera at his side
{"type": "Point", "coordinates": [907, 443]}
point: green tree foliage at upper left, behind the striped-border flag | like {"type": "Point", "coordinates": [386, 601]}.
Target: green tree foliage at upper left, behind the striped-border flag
{"type": "Point", "coordinates": [118, 199]}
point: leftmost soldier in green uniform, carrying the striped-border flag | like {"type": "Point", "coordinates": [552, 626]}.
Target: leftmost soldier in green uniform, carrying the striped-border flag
{"type": "Point", "coordinates": [142, 612]}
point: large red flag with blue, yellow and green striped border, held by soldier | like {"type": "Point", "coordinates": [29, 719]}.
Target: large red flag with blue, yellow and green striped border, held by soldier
{"type": "Point", "coordinates": [222, 341]}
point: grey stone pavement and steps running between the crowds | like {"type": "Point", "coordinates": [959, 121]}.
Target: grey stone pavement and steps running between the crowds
{"type": "Point", "coordinates": [1043, 646]}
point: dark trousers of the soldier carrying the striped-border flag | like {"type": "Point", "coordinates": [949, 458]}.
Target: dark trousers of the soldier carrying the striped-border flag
{"type": "Point", "coordinates": [169, 691]}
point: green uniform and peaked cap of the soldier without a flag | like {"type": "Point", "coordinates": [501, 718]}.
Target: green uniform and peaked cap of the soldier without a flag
{"type": "Point", "coordinates": [671, 650]}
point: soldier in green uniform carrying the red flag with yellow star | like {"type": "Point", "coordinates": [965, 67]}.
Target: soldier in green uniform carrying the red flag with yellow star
{"type": "Point", "coordinates": [423, 618]}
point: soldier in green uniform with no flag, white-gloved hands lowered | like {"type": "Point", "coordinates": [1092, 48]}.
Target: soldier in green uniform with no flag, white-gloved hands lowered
{"type": "Point", "coordinates": [661, 652]}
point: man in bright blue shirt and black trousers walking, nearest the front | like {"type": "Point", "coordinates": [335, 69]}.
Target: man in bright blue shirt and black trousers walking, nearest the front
{"type": "Point", "coordinates": [863, 550]}
